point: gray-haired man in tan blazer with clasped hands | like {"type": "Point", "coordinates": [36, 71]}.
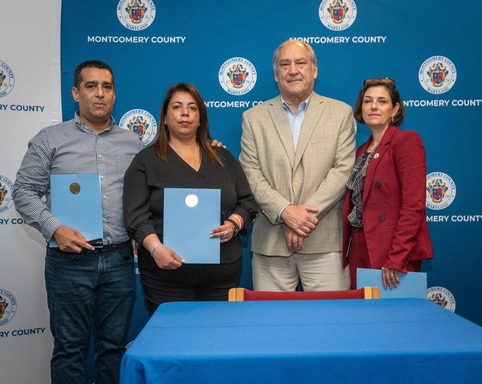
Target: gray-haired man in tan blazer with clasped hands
{"type": "Point", "coordinates": [297, 151]}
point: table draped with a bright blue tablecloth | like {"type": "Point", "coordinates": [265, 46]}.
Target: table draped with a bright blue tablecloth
{"type": "Point", "coordinates": [324, 341]}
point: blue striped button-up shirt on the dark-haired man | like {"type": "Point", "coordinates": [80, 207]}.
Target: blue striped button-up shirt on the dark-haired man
{"type": "Point", "coordinates": [72, 147]}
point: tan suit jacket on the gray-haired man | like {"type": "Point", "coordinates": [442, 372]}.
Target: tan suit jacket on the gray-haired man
{"type": "Point", "coordinates": [315, 174]}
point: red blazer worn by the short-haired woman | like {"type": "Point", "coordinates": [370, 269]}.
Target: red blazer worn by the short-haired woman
{"type": "Point", "coordinates": [394, 218]}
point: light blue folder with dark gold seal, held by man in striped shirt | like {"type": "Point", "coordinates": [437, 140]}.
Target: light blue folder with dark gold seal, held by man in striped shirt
{"type": "Point", "coordinates": [76, 200]}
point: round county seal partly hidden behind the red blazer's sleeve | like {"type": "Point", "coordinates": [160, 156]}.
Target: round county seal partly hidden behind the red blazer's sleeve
{"type": "Point", "coordinates": [440, 189]}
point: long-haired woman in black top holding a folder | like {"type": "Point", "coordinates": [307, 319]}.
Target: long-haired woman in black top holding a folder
{"type": "Point", "coordinates": [183, 157]}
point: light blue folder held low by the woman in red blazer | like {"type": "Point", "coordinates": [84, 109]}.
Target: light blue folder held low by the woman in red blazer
{"type": "Point", "coordinates": [412, 284]}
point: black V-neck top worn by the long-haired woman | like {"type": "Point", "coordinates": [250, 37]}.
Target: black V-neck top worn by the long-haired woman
{"type": "Point", "coordinates": [147, 176]}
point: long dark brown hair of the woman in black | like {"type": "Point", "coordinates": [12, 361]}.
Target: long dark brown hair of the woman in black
{"type": "Point", "coordinates": [203, 136]}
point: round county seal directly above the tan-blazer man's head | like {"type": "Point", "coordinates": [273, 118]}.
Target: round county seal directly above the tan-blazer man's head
{"type": "Point", "coordinates": [337, 15]}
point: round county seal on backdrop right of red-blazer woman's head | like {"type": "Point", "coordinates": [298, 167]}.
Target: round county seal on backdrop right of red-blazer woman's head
{"type": "Point", "coordinates": [437, 74]}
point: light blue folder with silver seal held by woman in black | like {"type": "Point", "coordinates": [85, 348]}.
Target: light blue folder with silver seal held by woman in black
{"type": "Point", "coordinates": [189, 216]}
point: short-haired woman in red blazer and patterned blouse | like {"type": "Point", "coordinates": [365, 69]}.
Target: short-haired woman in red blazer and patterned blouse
{"type": "Point", "coordinates": [384, 222]}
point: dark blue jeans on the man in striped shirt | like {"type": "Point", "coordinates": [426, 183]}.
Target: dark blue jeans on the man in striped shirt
{"type": "Point", "coordinates": [84, 291]}
